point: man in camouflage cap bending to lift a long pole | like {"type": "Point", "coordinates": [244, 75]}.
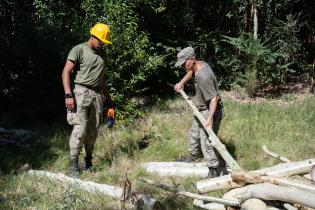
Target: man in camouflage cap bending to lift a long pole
{"type": "Point", "coordinates": [208, 102]}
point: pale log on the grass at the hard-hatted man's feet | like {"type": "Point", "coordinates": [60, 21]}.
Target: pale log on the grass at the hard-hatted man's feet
{"type": "Point", "coordinates": [108, 190]}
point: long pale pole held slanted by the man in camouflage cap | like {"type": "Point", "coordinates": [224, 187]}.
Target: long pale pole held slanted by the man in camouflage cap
{"type": "Point", "coordinates": [215, 142]}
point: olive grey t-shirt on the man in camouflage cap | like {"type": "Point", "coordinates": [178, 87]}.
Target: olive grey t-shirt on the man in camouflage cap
{"type": "Point", "coordinates": [206, 87]}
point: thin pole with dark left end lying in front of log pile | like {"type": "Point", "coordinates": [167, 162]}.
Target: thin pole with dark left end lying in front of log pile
{"type": "Point", "coordinates": [191, 195]}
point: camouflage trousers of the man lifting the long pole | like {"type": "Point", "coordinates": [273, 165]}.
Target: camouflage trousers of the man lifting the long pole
{"type": "Point", "coordinates": [198, 140]}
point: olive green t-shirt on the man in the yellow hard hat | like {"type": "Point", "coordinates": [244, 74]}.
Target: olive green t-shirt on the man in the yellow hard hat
{"type": "Point", "coordinates": [90, 65]}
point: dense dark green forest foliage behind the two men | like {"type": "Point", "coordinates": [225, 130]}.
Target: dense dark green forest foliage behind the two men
{"type": "Point", "coordinates": [35, 37]}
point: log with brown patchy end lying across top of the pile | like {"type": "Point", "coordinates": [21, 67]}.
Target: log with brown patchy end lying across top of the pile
{"type": "Point", "coordinates": [254, 178]}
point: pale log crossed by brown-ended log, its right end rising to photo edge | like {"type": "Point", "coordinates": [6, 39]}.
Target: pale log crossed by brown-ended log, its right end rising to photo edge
{"type": "Point", "coordinates": [280, 170]}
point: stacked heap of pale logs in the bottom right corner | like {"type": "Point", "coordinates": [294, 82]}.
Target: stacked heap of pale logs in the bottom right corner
{"type": "Point", "coordinates": [253, 188]}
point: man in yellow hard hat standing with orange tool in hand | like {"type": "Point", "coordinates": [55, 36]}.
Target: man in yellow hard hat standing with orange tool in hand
{"type": "Point", "coordinates": [85, 93]}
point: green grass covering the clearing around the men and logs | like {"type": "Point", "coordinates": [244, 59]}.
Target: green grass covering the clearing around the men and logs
{"type": "Point", "coordinates": [286, 128]}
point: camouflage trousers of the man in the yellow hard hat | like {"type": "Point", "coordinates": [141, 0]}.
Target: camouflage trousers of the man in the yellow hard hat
{"type": "Point", "coordinates": [85, 120]}
